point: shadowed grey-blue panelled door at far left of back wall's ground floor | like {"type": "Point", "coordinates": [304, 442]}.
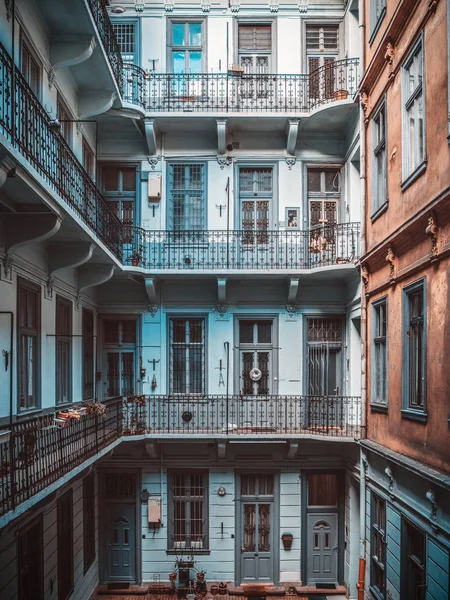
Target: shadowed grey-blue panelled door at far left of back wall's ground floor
{"type": "Point", "coordinates": [122, 543]}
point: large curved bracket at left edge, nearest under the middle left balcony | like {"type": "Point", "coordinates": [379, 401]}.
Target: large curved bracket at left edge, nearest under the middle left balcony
{"type": "Point", "coordinates": [24, 228]}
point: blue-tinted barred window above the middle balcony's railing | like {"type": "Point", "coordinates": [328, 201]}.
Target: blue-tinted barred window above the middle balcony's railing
{"type": "Point", "coordinates": [187, 206]}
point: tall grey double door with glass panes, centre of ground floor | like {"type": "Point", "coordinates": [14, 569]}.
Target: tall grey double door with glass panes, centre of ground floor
{"type": "Point", "coordinates": [257, 528]}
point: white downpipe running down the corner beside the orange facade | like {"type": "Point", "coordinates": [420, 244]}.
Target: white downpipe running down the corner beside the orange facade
{"type": "Point", "coordinates": [363, 460]}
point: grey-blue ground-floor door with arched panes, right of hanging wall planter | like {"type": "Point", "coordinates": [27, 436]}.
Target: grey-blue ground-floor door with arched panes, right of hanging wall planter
{"type": "Point", "coordinates": [322, 548]}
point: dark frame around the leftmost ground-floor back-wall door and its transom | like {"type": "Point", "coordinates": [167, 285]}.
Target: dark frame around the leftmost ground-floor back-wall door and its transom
{"type": "Point", "coordinates": [103, 518]}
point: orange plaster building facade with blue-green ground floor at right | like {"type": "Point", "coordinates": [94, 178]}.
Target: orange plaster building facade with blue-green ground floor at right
{"type": "Point", "coordinates": [405, 273]}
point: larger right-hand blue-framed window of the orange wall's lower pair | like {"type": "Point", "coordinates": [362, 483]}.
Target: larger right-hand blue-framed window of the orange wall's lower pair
{"type": "Point", "coordinates": [414, 348]}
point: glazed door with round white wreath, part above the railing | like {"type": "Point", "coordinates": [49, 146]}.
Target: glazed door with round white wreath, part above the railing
{"type": "Point", "coordinates": [256, 355]}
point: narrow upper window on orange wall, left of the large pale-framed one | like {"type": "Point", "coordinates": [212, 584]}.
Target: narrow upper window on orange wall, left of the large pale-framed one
{"type": "Point", "coordinates": [379, 183]}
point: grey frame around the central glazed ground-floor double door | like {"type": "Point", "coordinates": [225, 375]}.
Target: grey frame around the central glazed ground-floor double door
{"type": "Point", "coordinates": [275, 524]}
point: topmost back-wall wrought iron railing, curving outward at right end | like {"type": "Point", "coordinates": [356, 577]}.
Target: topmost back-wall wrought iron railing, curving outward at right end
{"type": "Point", "coordinates": [239, 92]}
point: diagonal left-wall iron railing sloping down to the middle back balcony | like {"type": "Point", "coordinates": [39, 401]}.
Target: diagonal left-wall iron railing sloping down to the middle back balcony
{"type": "Point", "coordinates": [26, 124]}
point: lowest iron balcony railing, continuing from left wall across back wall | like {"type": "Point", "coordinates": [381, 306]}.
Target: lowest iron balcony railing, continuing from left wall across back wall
{"type": "Point", "coordinates": [40, 451]}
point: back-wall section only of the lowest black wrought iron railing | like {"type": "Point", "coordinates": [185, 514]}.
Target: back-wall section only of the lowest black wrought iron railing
{"type": "Point", "coordinates": [335, 416]}
